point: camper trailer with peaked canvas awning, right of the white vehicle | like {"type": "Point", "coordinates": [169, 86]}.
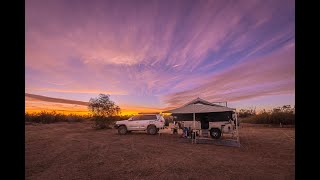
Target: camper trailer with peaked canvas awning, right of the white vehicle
{"type": "Point", "coordinates": [210, 119]}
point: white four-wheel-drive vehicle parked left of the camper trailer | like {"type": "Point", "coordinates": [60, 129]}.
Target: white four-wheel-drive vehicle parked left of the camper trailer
{"type": "Point", "coordinates": [142, 122]}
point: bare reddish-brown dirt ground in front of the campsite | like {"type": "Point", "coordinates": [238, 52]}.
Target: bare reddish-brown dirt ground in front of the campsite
{"type": "Point", "coordinates": [76, 151]}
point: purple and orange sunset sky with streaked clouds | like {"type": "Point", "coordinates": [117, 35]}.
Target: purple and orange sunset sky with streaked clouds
{"type": "Point", "coordinates": [154, 55]}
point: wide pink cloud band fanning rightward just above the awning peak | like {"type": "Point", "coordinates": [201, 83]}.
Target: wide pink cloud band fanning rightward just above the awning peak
{"type": "Point", "coordinates": [245, 80]}
